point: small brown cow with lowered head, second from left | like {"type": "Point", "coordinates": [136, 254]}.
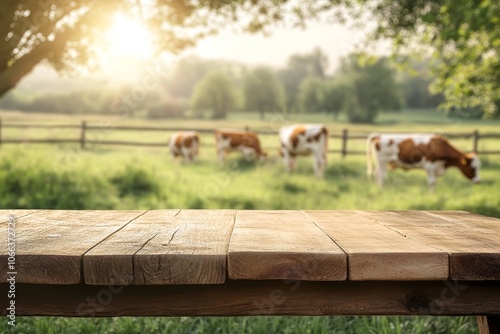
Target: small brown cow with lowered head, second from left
{"type": "Point", "coordinates": [235, 140]}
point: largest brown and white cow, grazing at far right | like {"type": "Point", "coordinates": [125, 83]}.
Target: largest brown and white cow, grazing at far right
{"type": "Point", "coordinates": [433, 153]}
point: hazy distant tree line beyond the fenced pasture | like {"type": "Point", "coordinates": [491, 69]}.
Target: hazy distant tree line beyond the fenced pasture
{"type": "Point", "coordinates": [360, 88]}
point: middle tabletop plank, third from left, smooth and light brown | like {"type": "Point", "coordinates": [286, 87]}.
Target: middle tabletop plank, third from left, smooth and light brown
{"type": "Point", "coordinates": [283, 245]}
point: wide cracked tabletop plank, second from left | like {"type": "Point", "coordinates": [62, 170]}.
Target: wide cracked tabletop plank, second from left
{"type": "Point", "coordinates": [164, 247]}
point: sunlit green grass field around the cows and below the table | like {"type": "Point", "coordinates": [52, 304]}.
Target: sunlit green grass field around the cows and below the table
{"type": "Point", "coordinates": [105, 177]}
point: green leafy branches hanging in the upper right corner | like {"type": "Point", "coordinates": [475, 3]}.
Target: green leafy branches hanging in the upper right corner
{"type": "Point", "coordinates": [465, 38]}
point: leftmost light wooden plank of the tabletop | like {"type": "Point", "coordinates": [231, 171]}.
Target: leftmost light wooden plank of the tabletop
{"type": "Point", "coordinates": [51, 244]}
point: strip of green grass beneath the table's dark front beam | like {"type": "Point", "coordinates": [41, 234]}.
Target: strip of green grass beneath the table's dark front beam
{"type": "Point", "coordinates": [250, 325]}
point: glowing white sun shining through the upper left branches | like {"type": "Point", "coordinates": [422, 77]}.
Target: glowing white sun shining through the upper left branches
{"type": "Point", "coordinates": [128, 37]}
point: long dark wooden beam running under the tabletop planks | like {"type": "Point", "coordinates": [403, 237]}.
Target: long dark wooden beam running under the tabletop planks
{"type": "Point", "coordinates": [238, 298]}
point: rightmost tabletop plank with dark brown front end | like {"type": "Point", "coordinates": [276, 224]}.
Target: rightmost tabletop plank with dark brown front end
{"type": "Point", "coordinates": [473, 242]}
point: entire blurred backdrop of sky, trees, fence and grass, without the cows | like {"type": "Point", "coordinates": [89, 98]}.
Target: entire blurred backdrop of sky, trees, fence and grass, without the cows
{"type": "Point", "coordinates": [91, 92]}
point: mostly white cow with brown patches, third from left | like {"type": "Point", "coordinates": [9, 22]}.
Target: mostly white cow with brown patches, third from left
{"type": "Point", "coordinates": [304, 140]}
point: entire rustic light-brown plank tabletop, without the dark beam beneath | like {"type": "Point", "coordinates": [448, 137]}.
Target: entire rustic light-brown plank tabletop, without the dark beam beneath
{"type": "Point", "coordinates": [165, 247]}
